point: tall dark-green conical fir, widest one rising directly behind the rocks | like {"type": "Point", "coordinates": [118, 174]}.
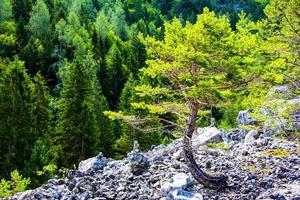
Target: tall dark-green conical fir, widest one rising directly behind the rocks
{"type": "Point", "coordinates": [77, 125]}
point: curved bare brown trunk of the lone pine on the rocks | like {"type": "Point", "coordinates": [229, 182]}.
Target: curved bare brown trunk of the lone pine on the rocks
{"type": "Point", "coordinates": [213, 182]}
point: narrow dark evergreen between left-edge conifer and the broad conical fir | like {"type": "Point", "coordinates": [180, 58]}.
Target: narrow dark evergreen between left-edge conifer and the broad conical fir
{"type": "Point", "coordinates": [40, 121]}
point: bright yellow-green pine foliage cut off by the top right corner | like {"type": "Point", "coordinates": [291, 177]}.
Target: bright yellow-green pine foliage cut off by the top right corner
{"type": "Point", "coordinates": [282, 39]}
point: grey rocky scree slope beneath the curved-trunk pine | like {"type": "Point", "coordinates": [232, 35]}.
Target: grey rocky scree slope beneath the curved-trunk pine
{"type": "Point", "coordinates": [258, 167]}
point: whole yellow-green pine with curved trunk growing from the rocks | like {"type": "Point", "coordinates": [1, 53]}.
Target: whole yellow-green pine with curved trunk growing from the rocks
{"type": "Point", "coordinates": [202, 64]}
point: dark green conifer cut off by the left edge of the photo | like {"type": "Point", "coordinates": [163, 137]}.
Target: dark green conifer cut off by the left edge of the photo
{"type": "Point", "coordinates": [16, 133]}
